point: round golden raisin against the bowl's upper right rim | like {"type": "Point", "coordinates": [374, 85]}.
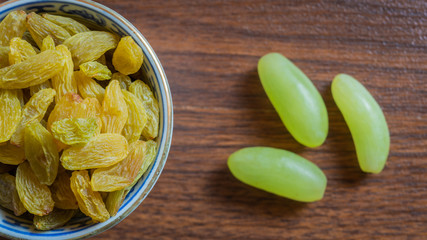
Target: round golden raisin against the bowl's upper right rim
{"type": "Point", "coordinates": [128, 56]}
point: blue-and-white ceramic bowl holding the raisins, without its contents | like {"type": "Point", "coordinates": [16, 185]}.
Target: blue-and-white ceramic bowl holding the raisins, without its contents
{"type": "Point", "coordinates": [95, 14]}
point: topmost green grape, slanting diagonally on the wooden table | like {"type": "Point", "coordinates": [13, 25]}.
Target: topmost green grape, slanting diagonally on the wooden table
{"type": "Point", "coordinates": [295, 98]}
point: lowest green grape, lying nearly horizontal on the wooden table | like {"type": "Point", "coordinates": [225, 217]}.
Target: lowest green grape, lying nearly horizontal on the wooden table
{"type": "Point", "coordinates": [280, 172]}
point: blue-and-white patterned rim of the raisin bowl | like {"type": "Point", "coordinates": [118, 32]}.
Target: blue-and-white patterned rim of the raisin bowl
{"type": "Point", "coordinates": [167, 108]}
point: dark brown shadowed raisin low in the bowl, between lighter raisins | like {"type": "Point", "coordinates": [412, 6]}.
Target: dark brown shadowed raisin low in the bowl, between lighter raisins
{"type": "Point", "coordinates": [61, 192]}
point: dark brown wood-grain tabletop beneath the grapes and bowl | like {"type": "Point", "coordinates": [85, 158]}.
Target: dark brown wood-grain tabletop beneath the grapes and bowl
{"type": "Point", "coordinates": [209, 50]}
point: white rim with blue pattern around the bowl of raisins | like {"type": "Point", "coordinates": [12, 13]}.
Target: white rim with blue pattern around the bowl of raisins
{"type": "Point", "coordinates": [165, 141]}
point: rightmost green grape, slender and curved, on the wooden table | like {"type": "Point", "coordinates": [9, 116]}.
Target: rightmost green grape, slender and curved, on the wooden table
{"type": "Point", "coordinates": [365, 120]}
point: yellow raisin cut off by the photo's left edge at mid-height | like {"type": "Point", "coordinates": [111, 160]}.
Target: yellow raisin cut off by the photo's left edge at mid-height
{"type": "Point", "coordinates": [10, 113]}
